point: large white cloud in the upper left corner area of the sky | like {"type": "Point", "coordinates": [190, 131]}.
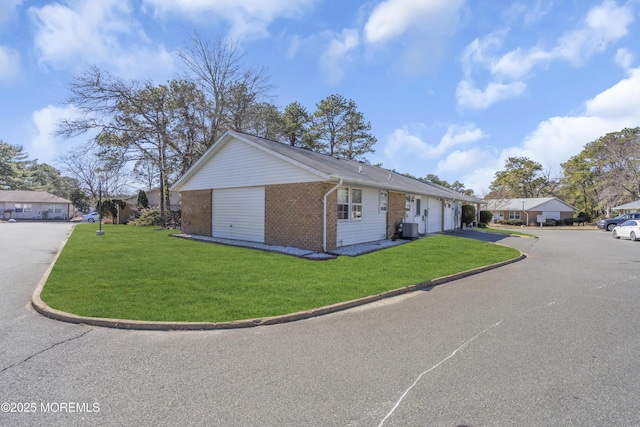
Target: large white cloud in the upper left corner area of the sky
{"type": "Point", "coordinates": [100, 32]}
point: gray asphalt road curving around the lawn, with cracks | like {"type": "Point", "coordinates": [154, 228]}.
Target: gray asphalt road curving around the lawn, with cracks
{"type": "Point", "coordinates": [548, 341]}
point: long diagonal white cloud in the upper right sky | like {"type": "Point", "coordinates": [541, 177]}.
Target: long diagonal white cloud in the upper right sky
{"type": "Point", "coordinates": [603, 25]}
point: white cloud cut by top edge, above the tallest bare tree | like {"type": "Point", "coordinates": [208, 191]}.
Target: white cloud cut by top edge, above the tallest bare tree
{"type": "Point", "coordinates": [247, 18]}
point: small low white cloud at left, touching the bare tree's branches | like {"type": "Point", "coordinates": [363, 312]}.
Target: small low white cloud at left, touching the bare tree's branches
{"type": "Point", "coordinates": [44, 146]}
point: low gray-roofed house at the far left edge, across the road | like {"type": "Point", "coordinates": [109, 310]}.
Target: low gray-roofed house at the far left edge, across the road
{"type": "Point", "coordinates": [34, 205]}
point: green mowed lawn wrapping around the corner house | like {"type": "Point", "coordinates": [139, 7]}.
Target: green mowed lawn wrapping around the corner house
{"type": "Point", "coordinates": [144, 274]}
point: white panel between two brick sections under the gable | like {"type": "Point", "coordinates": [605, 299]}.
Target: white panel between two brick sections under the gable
{"type": "Point", "coordinates": [238, 213]}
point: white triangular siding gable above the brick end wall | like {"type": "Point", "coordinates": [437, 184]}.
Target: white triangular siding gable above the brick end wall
{"type": "Point", "coordinates": [239, 164]}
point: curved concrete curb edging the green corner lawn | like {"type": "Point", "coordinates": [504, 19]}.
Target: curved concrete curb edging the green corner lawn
{"type": "Point", "coordinates": [42, 308]}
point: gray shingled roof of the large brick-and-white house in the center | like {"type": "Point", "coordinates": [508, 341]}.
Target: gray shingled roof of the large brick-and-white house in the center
{"type": "Point", "coordinates": [336, 168]}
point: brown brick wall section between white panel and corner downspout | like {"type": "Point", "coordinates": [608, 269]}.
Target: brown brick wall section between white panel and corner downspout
{"type": "Point", "coordinates": [294, 215]}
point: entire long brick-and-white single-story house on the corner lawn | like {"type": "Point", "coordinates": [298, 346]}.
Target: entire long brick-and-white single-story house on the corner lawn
{"type": "Point", "coordinates": [253, 189]}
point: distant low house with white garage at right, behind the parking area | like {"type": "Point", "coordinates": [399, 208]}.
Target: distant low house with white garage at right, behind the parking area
{"type": "Point", "coordinates": [530, 210]}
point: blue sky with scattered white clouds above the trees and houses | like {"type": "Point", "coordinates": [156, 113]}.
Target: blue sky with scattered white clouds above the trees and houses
{"type": "Point", "coordinates": [451, 87]}
